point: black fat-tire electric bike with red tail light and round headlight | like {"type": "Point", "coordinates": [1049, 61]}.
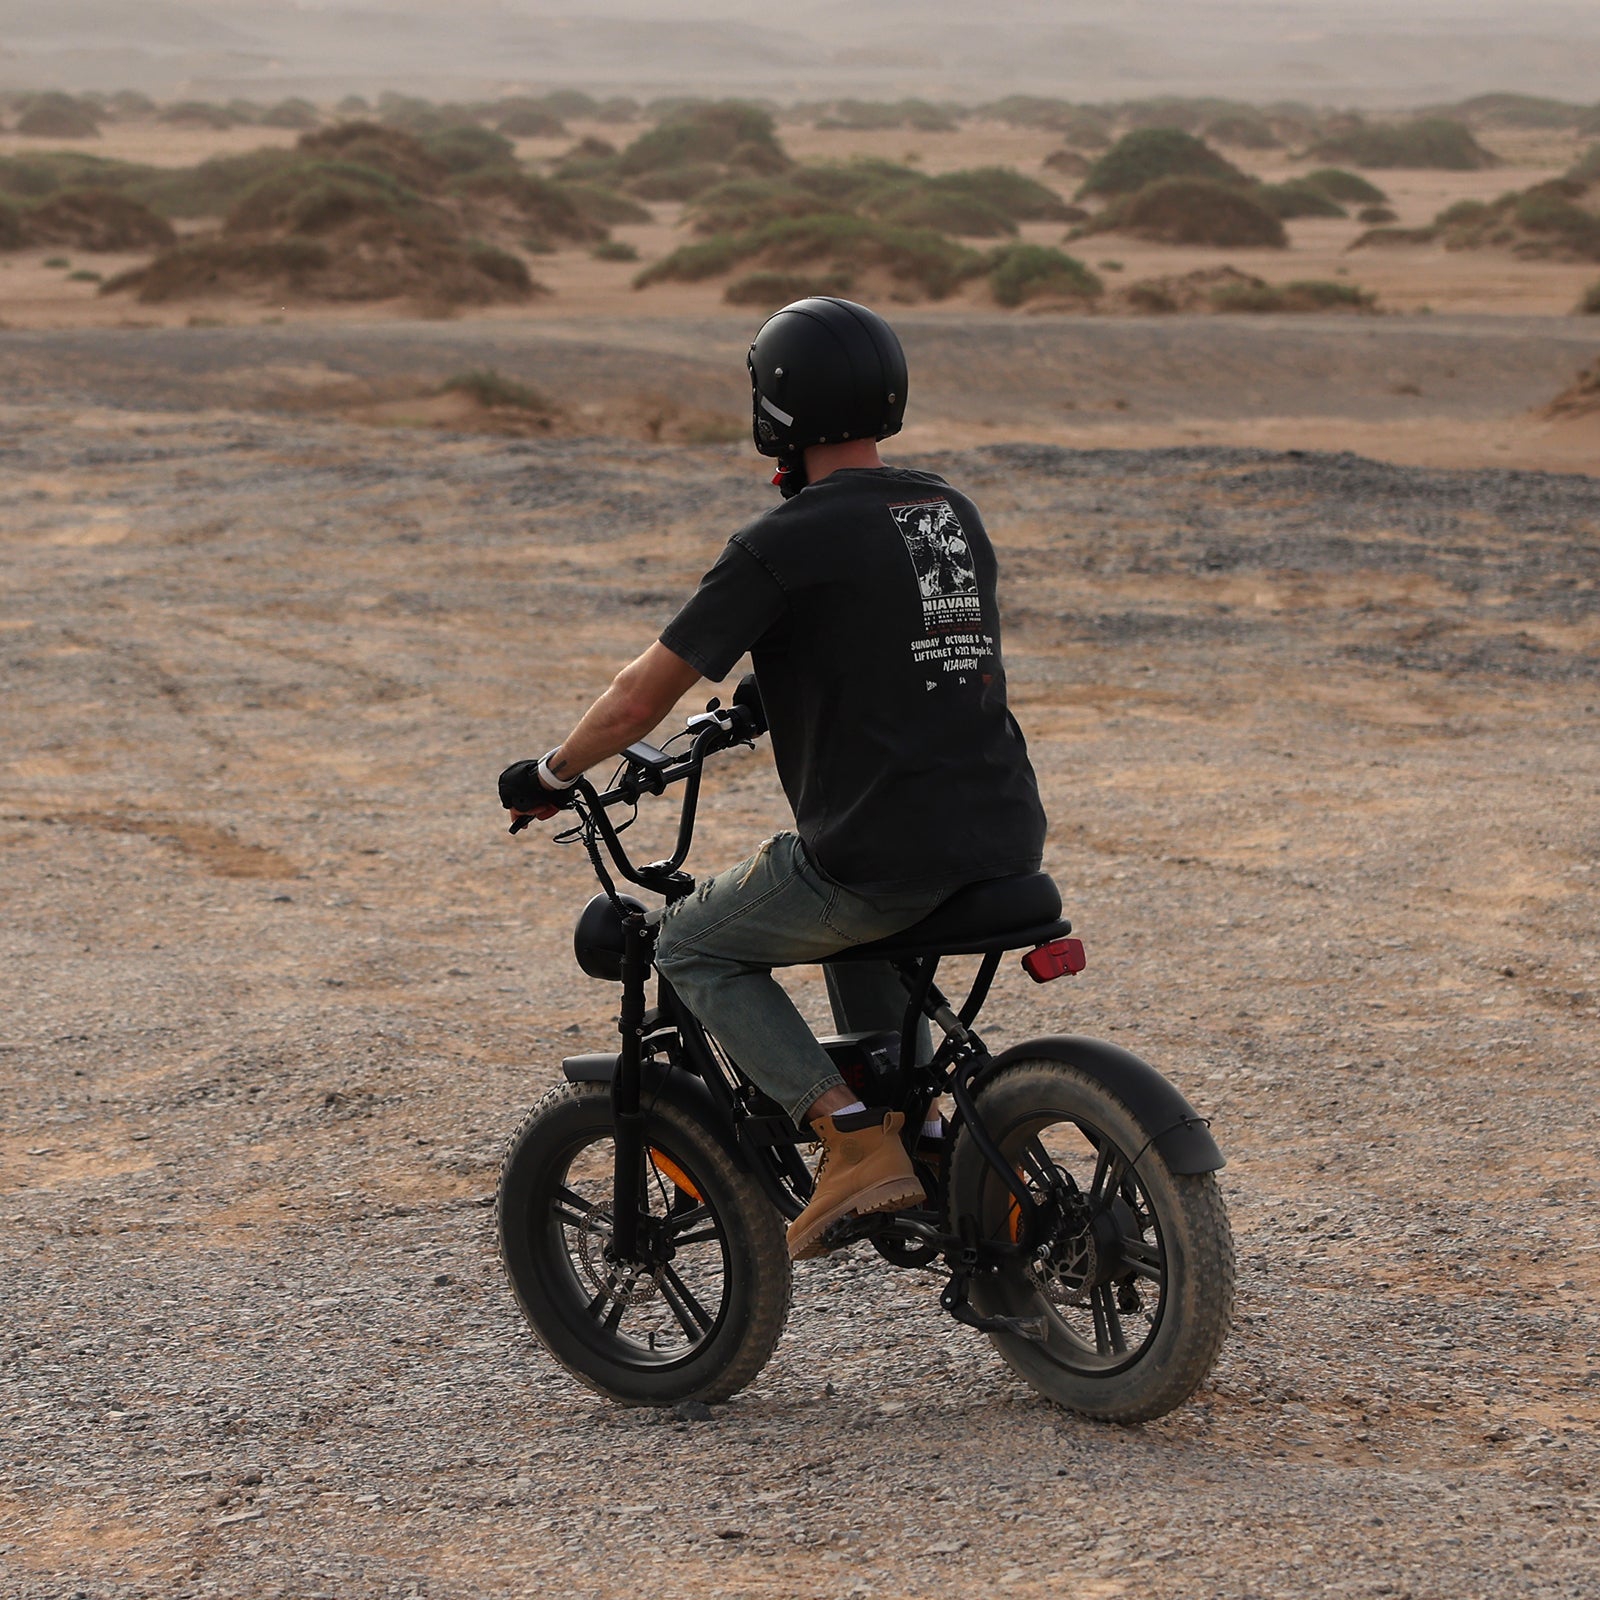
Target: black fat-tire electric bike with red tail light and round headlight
{"type": "Point", "coordinates": [644, 1201]}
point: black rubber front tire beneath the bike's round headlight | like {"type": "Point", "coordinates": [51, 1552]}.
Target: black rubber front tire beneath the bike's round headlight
{"type": "Point", "coordinates": [758, 1274]}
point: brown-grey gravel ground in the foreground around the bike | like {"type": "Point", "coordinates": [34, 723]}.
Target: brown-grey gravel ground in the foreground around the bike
{"type": "Point", "coordinates": [1319, 740]}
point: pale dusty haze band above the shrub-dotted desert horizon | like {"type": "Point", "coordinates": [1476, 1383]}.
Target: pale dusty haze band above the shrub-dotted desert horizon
{"type": "Point", "coordinates": [1361, 54]}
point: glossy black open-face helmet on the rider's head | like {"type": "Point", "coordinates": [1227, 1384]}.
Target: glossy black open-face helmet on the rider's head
{"type": "Point", "coordinates": [822, 372]}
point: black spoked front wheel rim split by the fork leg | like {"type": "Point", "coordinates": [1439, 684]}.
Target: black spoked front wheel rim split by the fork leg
{"type": "Point", "coordinates": [665, 1308]}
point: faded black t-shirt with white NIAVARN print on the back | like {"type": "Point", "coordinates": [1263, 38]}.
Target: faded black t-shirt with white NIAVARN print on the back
{"type": "Point", "coordinates": [868, 604]}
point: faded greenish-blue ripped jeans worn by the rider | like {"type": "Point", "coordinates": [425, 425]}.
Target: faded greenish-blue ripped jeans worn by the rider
{"type": "Point", "coordinates": [719, 950]}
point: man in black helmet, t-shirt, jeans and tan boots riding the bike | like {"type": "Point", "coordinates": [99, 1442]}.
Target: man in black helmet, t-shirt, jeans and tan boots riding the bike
{"type": "Point", "coordinates": [868, 606]}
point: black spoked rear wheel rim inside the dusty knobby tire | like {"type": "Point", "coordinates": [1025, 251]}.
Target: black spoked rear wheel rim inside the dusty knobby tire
{"type": "Point", "coordinates": [1102, 1281]}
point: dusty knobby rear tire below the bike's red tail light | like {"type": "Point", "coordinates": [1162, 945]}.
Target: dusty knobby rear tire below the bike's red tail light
{"type": "Point", "coordinates": [1196, 1236]}
